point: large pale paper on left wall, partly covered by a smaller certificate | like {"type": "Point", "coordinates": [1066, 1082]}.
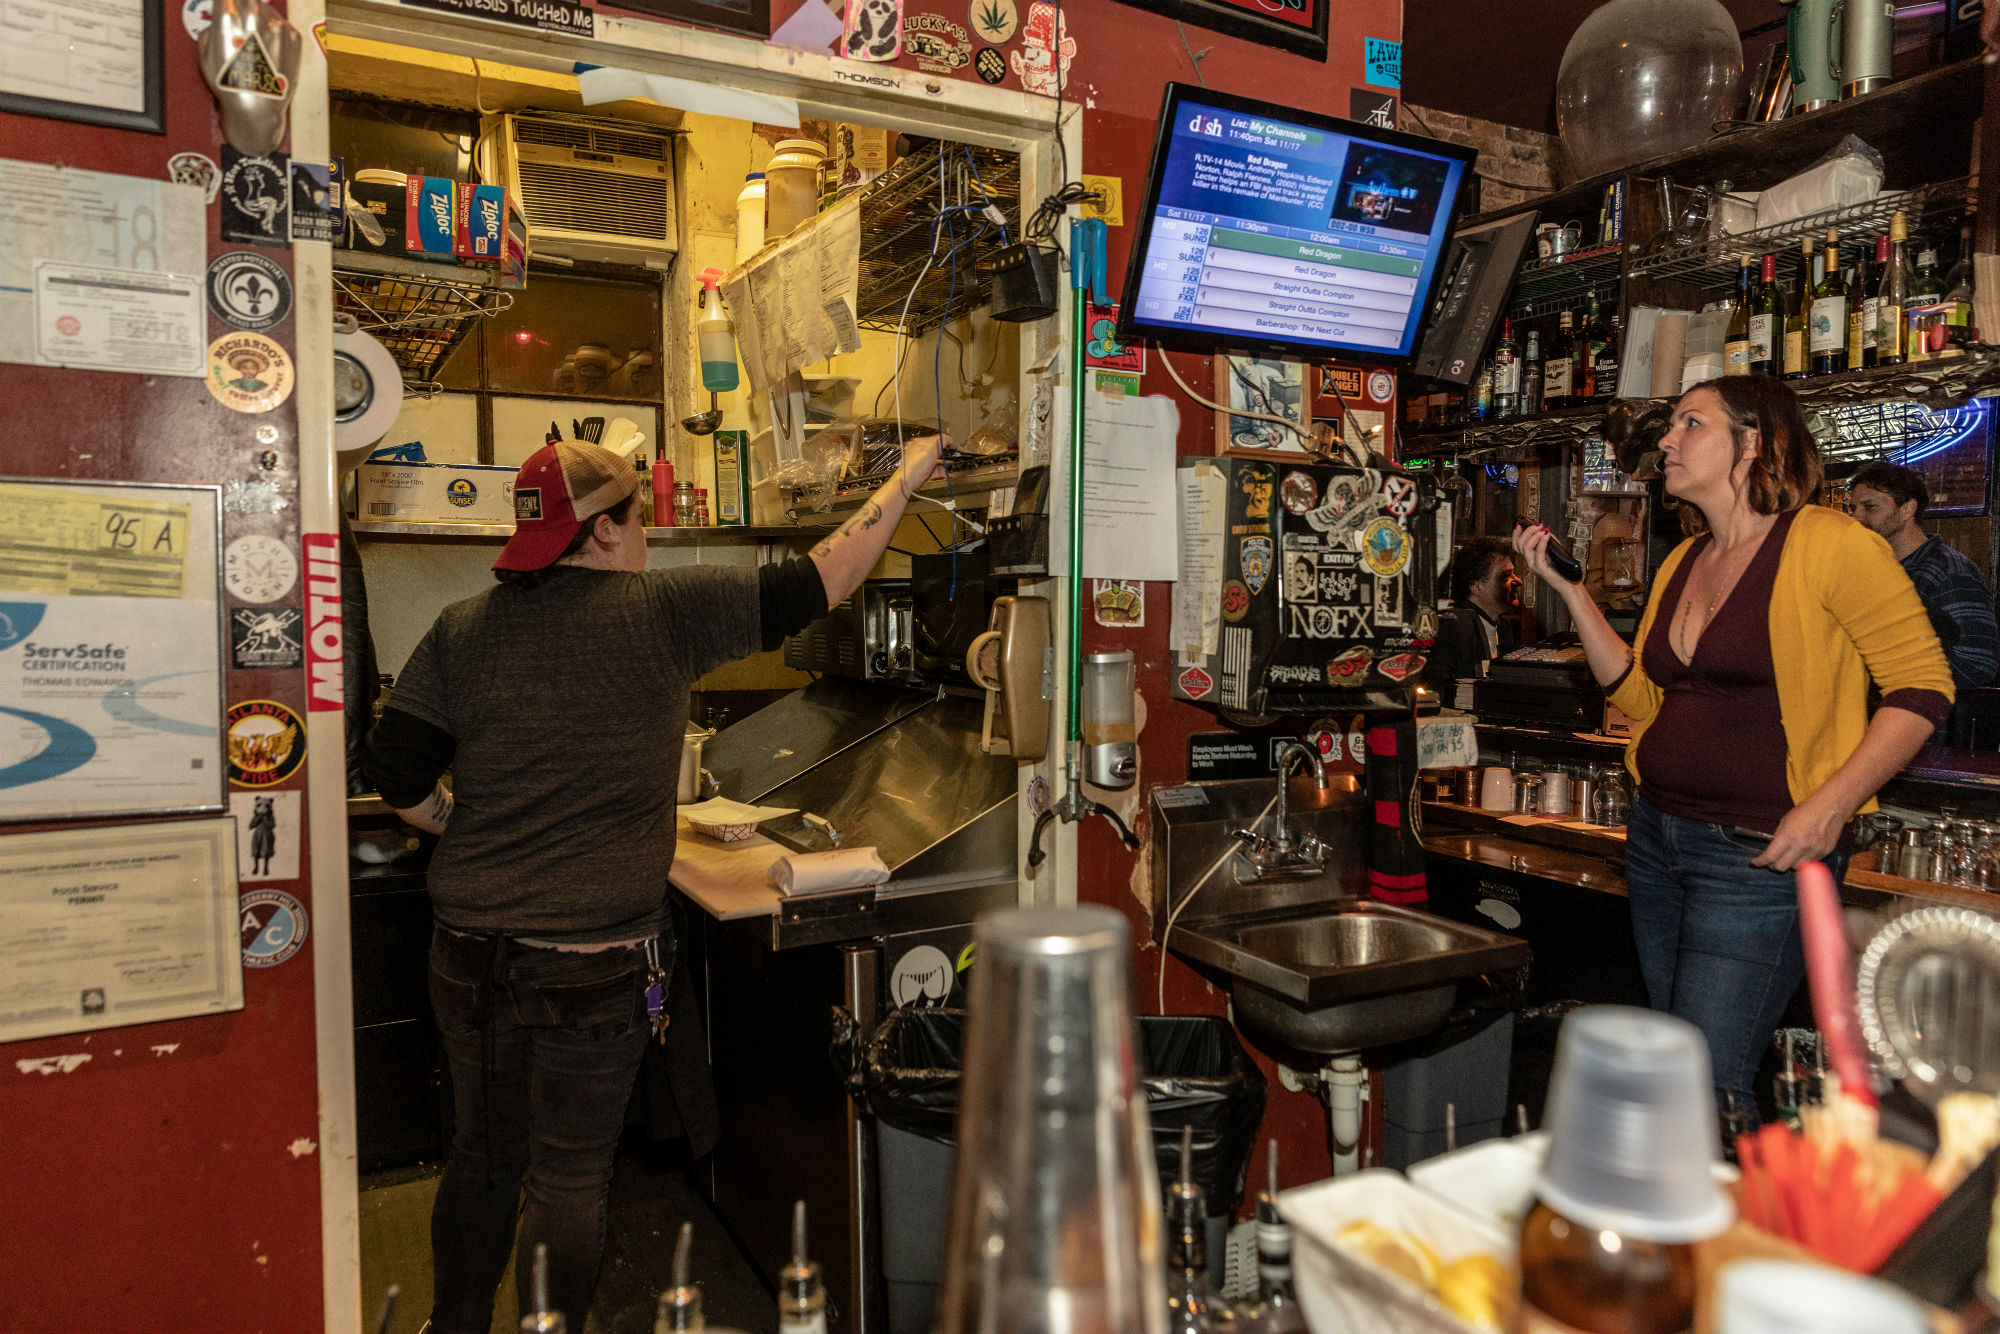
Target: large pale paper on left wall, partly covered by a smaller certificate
{"type": "Point", "coordinates": [97, 219]}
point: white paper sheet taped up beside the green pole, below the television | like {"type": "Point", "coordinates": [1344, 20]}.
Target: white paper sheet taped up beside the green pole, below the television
{"type": "Point", "coordinates": [1129, 487]}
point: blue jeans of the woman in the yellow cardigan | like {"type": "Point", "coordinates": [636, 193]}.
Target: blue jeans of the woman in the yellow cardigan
{"type": "Point", "coordinates": [1717, 939]}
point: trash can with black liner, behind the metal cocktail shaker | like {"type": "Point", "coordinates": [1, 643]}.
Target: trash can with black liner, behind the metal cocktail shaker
{"type": "Point", "coordinates": [1195, 1073]}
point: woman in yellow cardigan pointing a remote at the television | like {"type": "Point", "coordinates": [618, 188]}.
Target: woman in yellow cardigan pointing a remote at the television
{"type": "Point", "coordinates": [1749, 697]}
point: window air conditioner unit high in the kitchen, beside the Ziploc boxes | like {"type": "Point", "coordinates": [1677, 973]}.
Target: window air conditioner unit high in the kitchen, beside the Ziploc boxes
{"type": "Point", "coordinates": [595, 191]}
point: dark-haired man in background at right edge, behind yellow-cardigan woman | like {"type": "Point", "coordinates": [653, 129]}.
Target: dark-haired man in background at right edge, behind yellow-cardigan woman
{"type": "Point", "coordinates": [1891, 501]}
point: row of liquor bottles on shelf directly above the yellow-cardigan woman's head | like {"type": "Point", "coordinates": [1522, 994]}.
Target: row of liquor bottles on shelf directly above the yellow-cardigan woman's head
{"type": "Point", "coordinates": [1883, 311]}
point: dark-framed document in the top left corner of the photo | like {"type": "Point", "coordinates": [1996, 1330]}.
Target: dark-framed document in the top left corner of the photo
{"type": "Point", "coordinates": [103, 71]}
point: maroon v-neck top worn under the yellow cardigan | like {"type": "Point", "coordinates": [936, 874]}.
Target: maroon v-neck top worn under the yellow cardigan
{"type": "Point", "coordinates": [1717, 749]}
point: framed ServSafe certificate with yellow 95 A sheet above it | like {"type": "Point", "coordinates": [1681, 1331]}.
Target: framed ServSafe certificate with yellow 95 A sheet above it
{"type": "Point", "coordinates": [113, 645]}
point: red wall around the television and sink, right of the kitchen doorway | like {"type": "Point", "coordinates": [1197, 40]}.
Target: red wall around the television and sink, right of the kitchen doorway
{"type": "Point", "coordinates": [1125, 59]}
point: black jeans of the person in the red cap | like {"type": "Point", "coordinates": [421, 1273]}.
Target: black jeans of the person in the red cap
{"type": "Point", "coordinates": [545, 1047]}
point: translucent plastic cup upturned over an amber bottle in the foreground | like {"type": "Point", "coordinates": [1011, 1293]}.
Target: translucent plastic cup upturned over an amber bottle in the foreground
{"type": "Point", "coordinates": [1633, 1129]}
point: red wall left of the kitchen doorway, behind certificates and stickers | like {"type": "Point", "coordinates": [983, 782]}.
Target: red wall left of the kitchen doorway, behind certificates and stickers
{"type": "Point", "coordinates": [155, 1187]}
